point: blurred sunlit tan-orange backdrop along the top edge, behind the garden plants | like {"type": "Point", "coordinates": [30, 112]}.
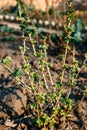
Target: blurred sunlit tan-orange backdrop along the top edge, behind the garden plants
{"type": "Point", "coordinates": [80, 6]}
